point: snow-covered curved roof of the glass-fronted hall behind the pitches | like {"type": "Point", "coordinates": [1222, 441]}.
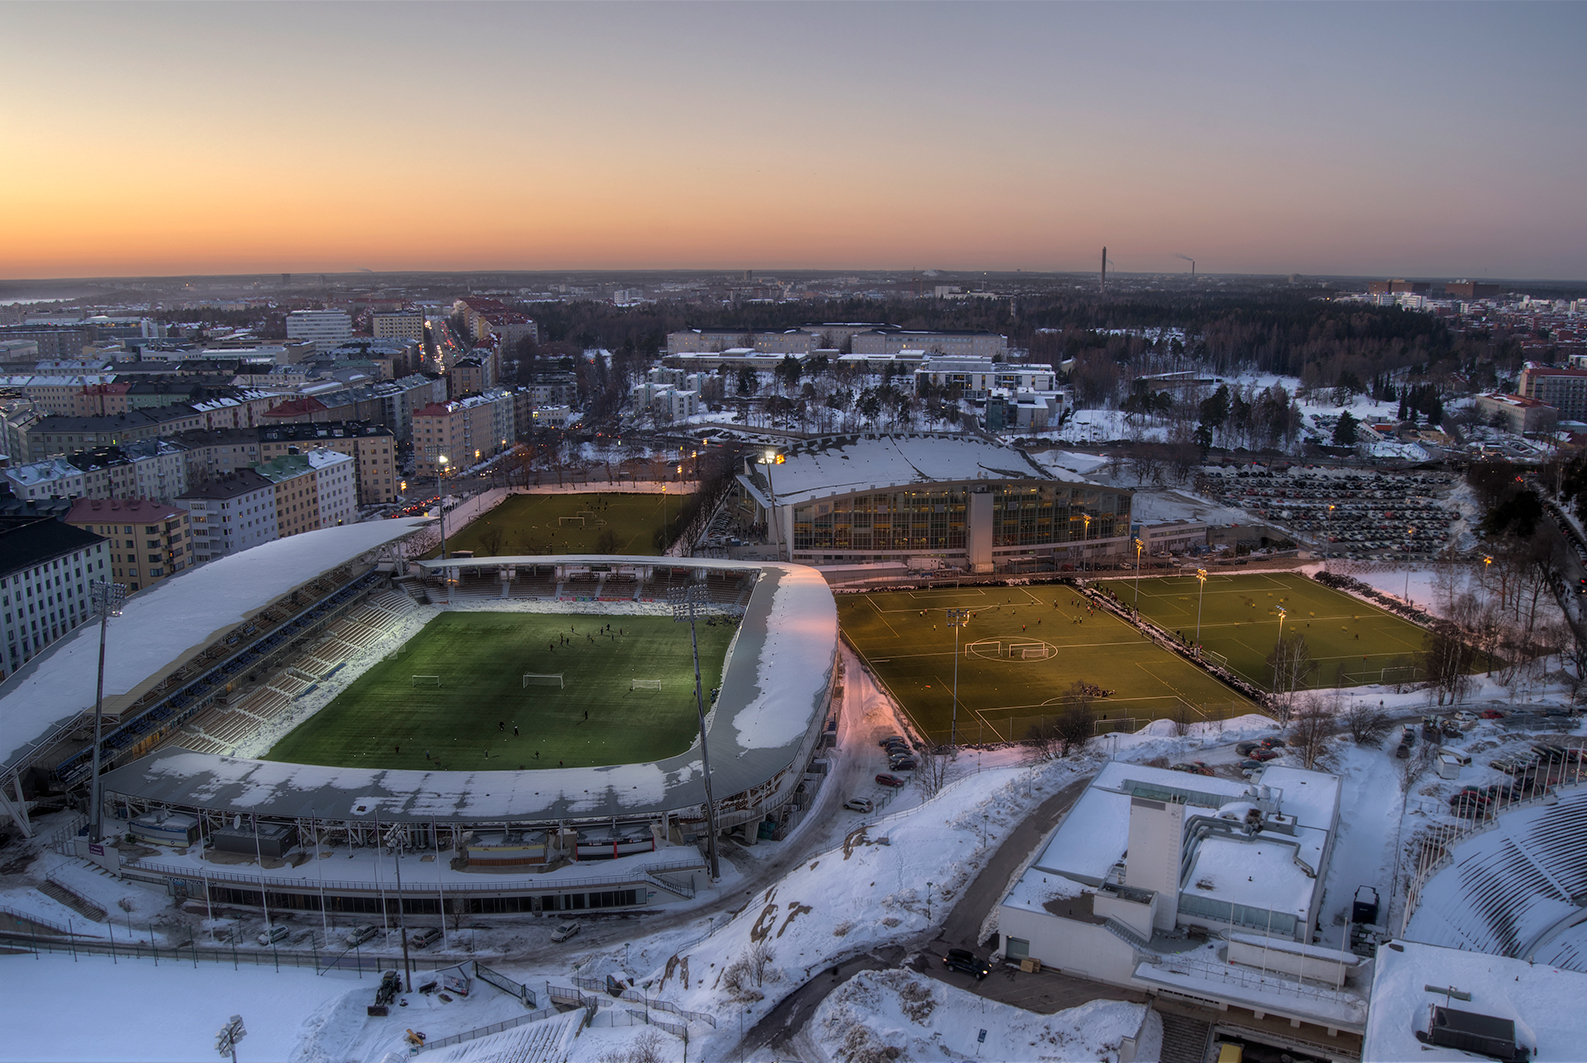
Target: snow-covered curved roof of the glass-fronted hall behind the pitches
{"type": "Point", "coordinates": [839, 466]}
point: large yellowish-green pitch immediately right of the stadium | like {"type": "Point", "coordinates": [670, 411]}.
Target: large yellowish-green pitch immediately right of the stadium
{"type": "Point", "coordinates": [1018, 656]}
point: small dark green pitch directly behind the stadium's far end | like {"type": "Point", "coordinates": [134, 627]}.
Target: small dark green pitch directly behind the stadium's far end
{"type": "Point", "coordinates": [571, 524]}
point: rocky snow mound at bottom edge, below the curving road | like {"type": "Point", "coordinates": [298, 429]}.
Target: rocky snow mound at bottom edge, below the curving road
{"type": "Point", "coordinates": [880, 1013]}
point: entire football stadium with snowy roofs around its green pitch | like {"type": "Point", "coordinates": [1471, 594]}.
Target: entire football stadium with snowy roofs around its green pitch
{"type": "Point", "coordinates": [526, 727]}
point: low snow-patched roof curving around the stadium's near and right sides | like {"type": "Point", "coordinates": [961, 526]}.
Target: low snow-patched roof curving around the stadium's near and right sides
{"type": "Point", "coordinates": [774, 694]}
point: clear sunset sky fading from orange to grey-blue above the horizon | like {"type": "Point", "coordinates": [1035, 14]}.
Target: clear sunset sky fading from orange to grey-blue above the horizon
{"type": "Point", "coordinates": [1313, 139]}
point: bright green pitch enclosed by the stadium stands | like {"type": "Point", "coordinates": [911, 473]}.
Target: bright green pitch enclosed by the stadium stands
{"type": "Point", "coordinates": [385, 721]}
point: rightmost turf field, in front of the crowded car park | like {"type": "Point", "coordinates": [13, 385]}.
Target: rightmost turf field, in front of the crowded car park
{"type": "Point", "coordinates": [1351, 642]}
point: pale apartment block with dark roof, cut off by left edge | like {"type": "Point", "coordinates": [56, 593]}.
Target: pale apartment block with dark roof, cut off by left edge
{"type": "Point", "coordinates": [45, 574]}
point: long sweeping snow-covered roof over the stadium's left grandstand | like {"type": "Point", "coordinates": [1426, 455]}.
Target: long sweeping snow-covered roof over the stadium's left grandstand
{"type": "Point", "coordinates": [171, 623]}
